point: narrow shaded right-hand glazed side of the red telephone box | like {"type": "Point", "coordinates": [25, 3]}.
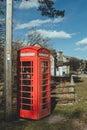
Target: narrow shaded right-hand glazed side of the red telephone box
{"type": "Point", "coordinates": [45, 87]}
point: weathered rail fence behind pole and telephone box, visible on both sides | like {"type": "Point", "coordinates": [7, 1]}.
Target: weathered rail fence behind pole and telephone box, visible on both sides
{"type": "Point", "coordinates": [61, 93]}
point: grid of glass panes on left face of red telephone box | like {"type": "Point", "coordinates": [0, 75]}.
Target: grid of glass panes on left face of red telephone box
{"type": "Point", "coordinates": [26, 85]}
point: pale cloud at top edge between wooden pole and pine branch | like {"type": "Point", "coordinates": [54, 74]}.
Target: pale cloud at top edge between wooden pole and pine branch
{"type": "Point", "coordinates": [28, 4]}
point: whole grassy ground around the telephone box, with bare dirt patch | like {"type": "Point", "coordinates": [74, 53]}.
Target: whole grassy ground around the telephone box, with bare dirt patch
{"type": "Point", "coordinates": [63, 117]}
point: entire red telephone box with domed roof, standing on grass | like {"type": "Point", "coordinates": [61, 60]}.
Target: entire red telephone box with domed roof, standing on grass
{"type": "Point", "coordinates": [34, 82]}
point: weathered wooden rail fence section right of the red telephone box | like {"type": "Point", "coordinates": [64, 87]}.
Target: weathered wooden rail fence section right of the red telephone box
{"type": "Point", "coordinates": [63, 93]}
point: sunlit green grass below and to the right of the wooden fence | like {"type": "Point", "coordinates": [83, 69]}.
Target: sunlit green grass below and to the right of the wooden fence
{"type": "Point", "coordinates": [81, 100]}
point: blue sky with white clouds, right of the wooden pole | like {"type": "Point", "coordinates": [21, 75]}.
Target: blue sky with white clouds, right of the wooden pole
{"type": "Point", "coordinates": [68, 34]}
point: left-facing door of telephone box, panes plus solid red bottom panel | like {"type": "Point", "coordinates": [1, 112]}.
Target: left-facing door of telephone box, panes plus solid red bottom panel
{"type": "Point", "coordinates": [27, 108]}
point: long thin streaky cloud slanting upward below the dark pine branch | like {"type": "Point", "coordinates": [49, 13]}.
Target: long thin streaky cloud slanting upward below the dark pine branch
{"type": "Point", "coordinates": [37, 22]}
